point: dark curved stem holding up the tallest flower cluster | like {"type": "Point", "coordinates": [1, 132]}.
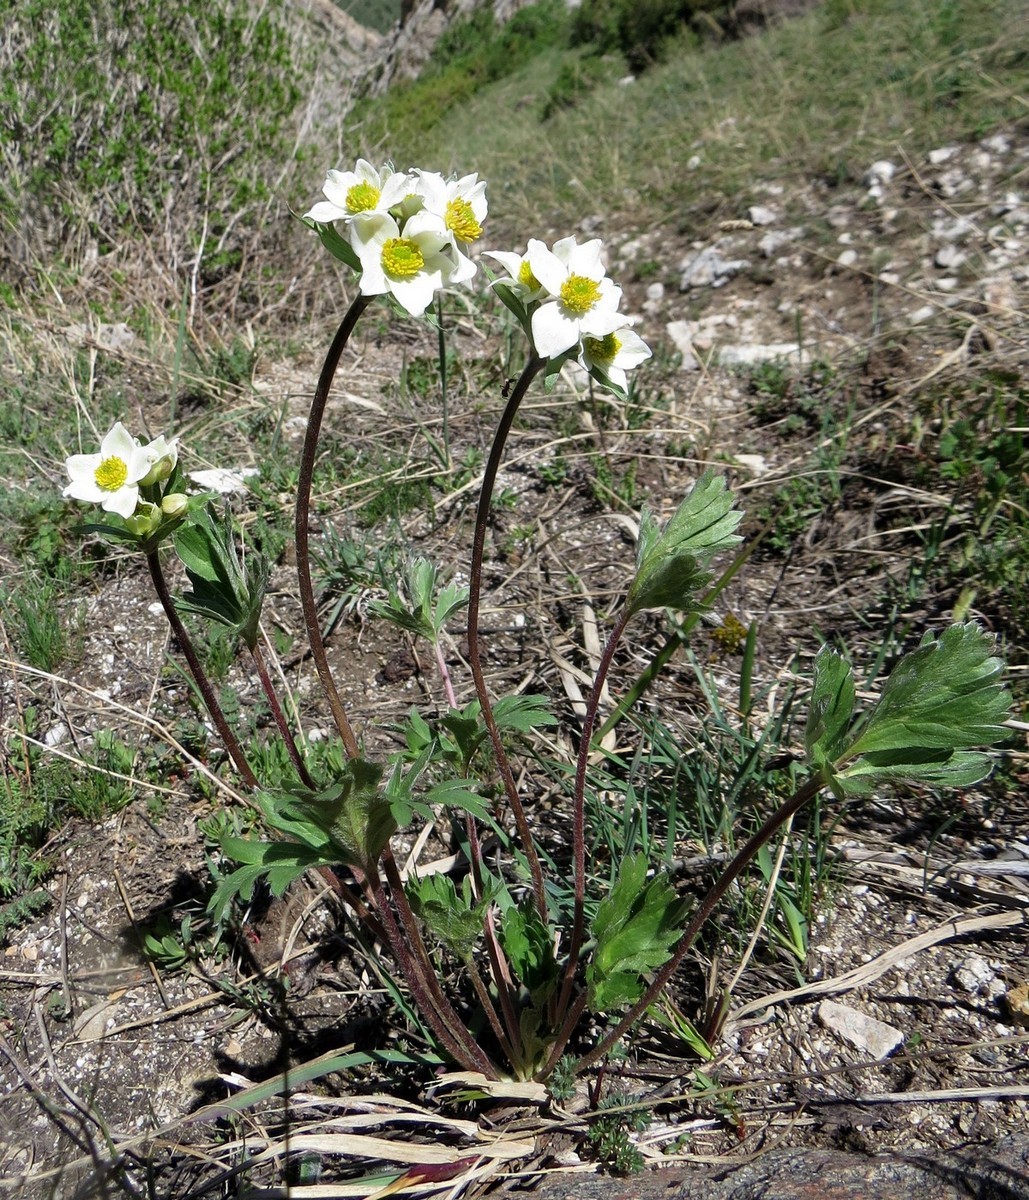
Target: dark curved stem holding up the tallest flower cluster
{"type": "Point", "coordinates": [303, 518]}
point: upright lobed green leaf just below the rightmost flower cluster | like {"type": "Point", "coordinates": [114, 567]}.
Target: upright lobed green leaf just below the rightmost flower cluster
{"type": "Point", "coordinates": [672, 565]}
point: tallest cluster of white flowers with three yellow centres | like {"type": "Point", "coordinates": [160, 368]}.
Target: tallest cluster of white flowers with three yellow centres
{"type": "Point", "coordinates": [407, 232]}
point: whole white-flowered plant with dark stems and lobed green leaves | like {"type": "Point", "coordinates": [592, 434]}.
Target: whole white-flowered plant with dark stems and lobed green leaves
{"type": "Point", "coordinates": [534, 974]}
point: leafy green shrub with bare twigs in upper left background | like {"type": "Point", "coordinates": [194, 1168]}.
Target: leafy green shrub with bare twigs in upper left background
{"type": "Point", "coordinates": [133, 117]}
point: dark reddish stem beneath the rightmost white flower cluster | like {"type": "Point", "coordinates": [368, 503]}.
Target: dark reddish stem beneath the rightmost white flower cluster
{"type": "Point", "coordinates": [529, 374]}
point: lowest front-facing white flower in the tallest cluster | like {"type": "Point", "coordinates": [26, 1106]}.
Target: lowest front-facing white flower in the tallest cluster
{"type": "Point", "coordinates": [412, 265]}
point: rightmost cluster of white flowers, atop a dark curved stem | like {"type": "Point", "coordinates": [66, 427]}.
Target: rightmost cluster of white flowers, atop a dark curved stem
{"type": "Point", "coordinates": [569, 308]}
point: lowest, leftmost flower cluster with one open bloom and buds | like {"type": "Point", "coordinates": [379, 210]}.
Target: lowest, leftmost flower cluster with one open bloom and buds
{"type": "Point", "coordinates": [141, 484]}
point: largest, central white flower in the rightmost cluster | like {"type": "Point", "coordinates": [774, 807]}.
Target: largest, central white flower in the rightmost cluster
{"type": "Point", "coordinates": [585, 301]}
